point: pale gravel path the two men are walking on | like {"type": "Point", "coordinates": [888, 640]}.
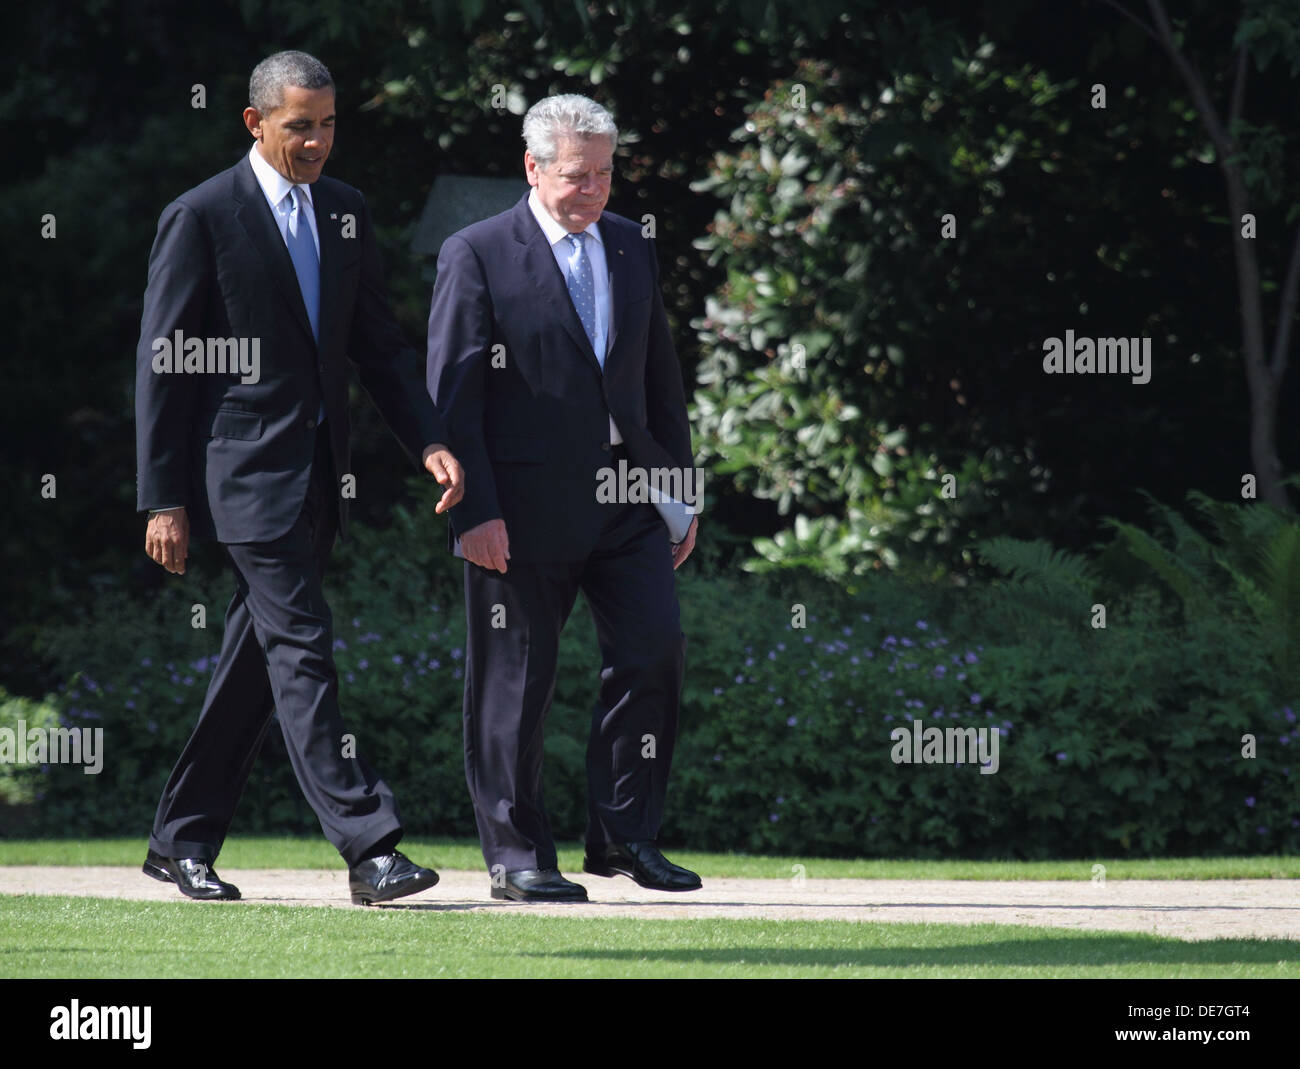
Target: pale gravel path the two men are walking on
{"type": "Point", "coordinates": [1188, 910]}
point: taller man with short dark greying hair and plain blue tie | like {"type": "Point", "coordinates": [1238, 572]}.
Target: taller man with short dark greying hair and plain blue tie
{"type": "Point", "coordinates": [262, 282]}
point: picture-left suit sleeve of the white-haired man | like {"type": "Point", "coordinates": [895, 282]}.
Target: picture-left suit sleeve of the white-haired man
{"type": "Point", "coordinates": [461, 331]}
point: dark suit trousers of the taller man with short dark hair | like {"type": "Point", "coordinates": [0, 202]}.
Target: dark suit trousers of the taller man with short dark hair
{"type": "Point", "coordinates": [278, 656]}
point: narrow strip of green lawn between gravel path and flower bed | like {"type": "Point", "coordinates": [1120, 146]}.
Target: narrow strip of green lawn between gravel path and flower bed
{"type": "Point", "coordinates": [463, 854]}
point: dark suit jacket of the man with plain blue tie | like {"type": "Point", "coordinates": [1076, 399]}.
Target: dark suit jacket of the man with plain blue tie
{"type": "Point", "coordinates": [239, 456]}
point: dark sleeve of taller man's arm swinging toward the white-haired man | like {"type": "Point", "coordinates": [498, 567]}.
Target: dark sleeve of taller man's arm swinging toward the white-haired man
{"type": "Point", "coordinates": [388, 367]}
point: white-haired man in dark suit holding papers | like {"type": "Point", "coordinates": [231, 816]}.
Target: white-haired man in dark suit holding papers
{"type": "Point", "coordinates": [551, 360]}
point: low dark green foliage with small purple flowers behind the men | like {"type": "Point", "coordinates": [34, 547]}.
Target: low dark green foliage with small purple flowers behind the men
{"type": "Point", "coordinates": [1125, 741]}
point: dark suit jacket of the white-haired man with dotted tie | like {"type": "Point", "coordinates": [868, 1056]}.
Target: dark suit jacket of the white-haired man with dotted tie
{"type": "Point", "coordinates": [534, 432]}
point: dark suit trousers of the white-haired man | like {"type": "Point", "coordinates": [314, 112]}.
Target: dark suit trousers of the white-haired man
{"type": "Point", "coordinates": [510, 682]}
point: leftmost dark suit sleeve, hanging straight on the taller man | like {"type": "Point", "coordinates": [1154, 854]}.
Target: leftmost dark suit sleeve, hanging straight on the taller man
{"type": "Point", "coordinates": [166, 404]}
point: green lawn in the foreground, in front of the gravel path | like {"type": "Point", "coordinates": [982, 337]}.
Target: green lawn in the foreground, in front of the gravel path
{"type": "Point", "coordinates": [64, 937]}
